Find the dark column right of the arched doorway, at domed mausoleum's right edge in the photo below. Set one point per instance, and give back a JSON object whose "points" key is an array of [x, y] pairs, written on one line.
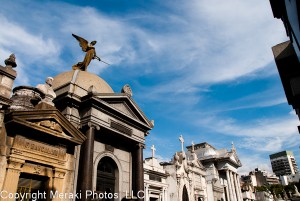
{"points": [[138, 171]]}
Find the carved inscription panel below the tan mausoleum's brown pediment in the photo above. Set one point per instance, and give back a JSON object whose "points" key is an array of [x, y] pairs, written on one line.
{"points": [[33, 146]]}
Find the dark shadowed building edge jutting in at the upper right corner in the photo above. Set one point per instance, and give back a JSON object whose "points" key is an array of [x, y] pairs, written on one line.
{"points": [[287, 54]]}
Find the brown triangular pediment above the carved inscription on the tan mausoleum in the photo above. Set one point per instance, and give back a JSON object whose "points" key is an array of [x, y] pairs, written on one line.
{"points": [[51, 122]]}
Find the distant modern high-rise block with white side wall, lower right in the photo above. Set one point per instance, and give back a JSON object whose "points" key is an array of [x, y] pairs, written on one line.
{"points": [[283, 163]]}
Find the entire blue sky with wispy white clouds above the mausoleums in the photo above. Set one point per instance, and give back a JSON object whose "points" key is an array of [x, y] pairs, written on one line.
{"points": [[203, 69]]}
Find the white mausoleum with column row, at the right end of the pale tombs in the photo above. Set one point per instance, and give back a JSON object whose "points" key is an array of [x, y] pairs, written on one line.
{"points": [[221, 165]]}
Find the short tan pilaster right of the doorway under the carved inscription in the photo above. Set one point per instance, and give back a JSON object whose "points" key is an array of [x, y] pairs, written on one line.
{"points": [[58, 182]]}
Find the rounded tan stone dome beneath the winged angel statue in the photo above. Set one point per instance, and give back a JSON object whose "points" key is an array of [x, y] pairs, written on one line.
{"points": [[79, 82]]}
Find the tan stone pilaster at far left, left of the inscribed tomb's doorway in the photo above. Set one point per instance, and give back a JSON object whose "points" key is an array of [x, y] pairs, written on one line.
{"points": [[12, 177]]}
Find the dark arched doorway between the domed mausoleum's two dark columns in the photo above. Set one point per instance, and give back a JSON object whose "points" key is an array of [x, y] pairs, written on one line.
{"points": [[107, 174]]}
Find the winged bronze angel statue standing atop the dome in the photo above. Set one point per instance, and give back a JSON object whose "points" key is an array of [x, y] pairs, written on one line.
{"points": [[90, 53]]}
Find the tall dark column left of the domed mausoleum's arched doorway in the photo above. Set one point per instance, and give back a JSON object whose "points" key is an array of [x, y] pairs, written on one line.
{"points": [[85, 173]]}
